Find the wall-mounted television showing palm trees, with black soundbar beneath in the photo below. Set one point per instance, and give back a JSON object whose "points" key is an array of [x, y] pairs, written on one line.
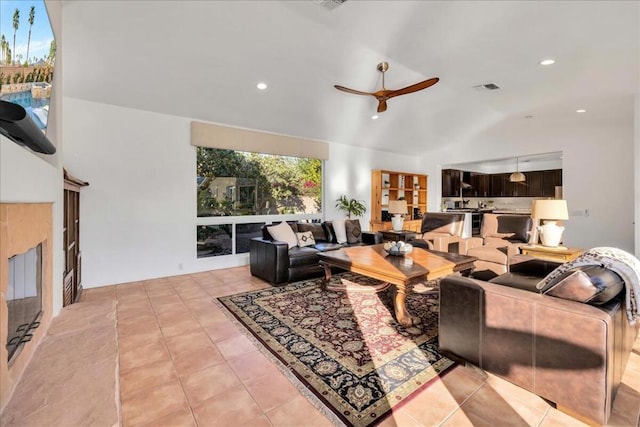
{"points": [[27, 58]]}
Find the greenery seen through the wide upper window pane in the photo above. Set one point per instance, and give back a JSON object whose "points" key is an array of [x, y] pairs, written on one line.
{"points": [[235, 183]]}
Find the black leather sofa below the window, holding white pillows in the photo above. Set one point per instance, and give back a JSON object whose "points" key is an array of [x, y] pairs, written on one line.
{"points": [[277, 263]]}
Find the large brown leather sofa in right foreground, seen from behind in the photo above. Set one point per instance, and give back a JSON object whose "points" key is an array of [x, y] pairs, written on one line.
{"points": [[569, 352]]}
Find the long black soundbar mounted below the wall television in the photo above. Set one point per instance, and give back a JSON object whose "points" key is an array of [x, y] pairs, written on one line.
{"points": [[16, 125]]}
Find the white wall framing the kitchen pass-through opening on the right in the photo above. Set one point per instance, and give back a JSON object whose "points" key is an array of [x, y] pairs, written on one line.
{"points": [[598, 171]]}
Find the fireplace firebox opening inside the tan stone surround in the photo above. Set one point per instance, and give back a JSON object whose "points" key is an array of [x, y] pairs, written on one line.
{"points": [[24, 299]]}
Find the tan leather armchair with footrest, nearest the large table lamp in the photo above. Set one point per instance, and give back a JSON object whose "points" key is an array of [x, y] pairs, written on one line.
{"points": [[501, 236]]}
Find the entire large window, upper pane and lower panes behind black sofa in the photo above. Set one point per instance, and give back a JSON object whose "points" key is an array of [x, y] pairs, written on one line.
{"points": [[235, 189]]}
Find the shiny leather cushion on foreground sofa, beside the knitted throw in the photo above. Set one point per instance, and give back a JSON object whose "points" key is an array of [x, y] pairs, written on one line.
{"points": [[592, 284]]}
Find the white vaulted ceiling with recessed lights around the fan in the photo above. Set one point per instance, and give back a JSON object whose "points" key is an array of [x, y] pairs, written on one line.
{"points": [[203, 59]]}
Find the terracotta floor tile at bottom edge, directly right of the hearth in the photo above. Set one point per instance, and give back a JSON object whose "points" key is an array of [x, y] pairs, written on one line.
{"points": [[150, 405]]}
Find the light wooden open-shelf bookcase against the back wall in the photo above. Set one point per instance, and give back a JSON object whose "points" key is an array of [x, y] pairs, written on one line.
{"points": [[390, 185]]}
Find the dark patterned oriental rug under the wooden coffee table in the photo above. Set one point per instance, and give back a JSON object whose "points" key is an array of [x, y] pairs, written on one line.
{"points": [[343, 349]]}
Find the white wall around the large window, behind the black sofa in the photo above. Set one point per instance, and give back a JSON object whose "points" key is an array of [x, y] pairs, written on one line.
{"points": [[138, 214]]}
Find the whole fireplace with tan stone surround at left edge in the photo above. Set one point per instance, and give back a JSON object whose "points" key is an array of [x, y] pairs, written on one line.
{"points": [[26, 282]]}
